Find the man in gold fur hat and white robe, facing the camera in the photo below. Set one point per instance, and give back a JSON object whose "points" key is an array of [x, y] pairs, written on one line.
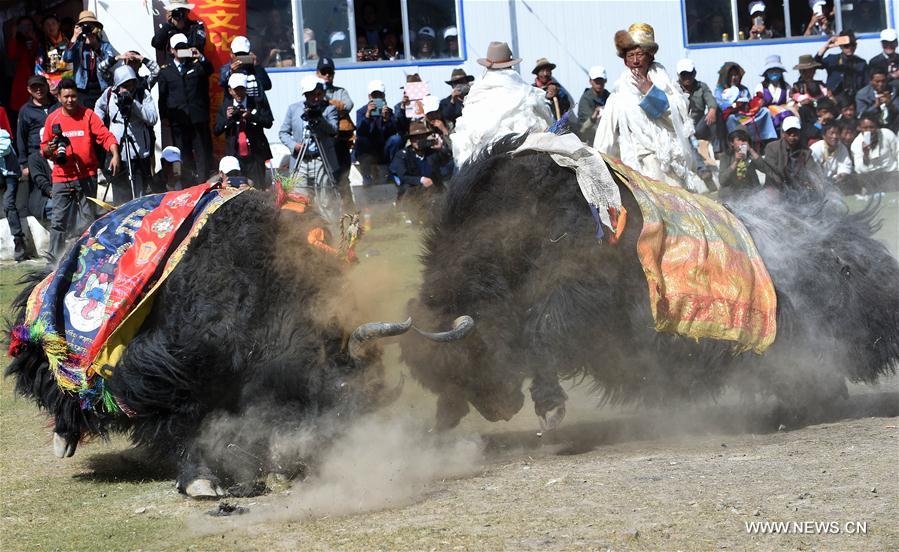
{"points": [[646, 120]]}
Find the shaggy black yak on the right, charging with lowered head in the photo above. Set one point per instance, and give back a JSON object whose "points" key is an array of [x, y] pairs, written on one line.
{"points": [[513, 244]]}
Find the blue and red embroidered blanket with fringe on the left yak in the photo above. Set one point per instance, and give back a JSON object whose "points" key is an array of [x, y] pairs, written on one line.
{"points": [[84, 313]]}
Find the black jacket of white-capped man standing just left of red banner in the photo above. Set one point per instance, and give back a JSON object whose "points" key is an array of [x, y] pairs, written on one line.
{"points": [[184, 98]]}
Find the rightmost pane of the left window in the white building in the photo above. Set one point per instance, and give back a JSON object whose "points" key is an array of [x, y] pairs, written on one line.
{"points": [[433, 29]]}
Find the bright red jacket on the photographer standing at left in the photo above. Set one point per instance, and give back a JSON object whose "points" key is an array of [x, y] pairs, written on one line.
{"points": [[83, 130]]}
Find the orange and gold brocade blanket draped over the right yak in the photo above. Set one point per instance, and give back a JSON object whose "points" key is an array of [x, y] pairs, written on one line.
{"points": [[705, 276]]}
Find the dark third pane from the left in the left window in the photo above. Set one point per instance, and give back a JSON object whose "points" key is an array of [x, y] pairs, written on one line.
{"points": [[379, 35]]}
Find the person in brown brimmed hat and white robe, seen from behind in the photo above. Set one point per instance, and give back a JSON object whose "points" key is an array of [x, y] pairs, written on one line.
{"points": [[500, 103]]}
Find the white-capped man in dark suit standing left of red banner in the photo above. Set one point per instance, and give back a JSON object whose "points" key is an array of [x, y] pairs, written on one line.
{"points": [[184, 106]]}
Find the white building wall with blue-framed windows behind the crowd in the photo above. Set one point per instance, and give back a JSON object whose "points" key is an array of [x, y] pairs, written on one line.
{"points": [[574, 34]]}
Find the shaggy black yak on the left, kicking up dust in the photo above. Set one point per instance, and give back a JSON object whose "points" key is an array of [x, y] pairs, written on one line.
{"points": [[245, 328]]}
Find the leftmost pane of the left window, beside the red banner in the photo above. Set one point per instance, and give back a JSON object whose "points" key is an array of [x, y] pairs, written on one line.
{"points": [[270, 30]]}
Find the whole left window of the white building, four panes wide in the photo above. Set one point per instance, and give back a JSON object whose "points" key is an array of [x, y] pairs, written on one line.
{"points": [[353, 32]]}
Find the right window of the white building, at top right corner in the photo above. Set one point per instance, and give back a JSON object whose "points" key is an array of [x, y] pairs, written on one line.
{"points": [[718, 21]]}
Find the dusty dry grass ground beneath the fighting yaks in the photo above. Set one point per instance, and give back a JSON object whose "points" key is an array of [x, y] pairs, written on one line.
{"points": [[617, 489]]}
